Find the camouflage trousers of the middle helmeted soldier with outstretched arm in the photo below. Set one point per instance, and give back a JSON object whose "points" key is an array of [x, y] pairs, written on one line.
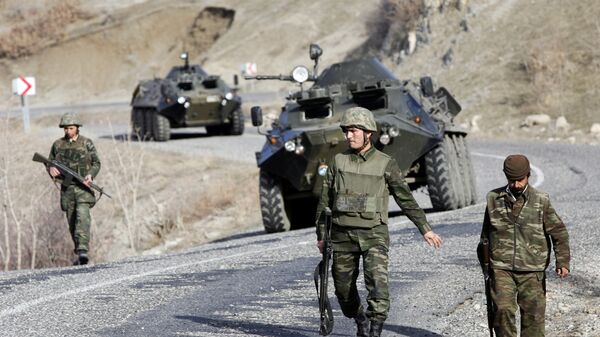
{"points": [[373, 250]]}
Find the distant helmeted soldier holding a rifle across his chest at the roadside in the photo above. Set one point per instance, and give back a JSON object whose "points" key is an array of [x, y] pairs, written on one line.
{"points": [[79, 154]]}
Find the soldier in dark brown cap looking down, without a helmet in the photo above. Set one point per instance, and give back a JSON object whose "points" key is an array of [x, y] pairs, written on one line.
{"points": [[520, 224]]}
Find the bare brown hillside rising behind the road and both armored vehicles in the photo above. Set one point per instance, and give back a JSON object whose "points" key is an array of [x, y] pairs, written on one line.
{"points": [[504, 60]]}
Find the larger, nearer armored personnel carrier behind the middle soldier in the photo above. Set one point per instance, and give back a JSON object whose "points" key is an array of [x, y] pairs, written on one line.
{"points": [[415, 126]]}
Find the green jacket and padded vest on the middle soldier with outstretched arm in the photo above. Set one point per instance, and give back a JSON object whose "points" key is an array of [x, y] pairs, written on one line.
{"points": [[357, 188]]}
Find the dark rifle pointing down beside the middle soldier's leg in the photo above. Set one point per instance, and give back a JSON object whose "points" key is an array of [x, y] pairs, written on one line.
{"points": [[322, 274]]}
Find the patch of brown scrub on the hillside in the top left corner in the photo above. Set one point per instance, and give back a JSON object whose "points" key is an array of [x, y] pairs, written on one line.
{"points": [[44, 29]]}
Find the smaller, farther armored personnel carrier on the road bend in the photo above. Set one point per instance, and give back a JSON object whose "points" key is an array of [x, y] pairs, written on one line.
{"points": [[186, 97]]}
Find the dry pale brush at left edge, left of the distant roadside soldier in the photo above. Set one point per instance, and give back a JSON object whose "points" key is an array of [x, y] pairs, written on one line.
{"points": [[33, 230]]}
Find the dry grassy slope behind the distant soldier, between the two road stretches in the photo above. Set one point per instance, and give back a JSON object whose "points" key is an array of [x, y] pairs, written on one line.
{"points": [[152, 206]]}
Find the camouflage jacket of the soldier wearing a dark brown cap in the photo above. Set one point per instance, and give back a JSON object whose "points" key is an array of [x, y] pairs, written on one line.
{"points": [[521, 231]]}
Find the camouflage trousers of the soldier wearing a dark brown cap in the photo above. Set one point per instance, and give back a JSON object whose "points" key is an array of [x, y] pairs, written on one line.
{"points": [[525, 289]]}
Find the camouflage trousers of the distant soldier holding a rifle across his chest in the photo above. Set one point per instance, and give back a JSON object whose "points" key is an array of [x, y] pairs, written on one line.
{"points": [[76, 203]]}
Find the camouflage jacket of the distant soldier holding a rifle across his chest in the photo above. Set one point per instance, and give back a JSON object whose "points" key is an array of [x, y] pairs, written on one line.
{"points": [[79, 155]]}
